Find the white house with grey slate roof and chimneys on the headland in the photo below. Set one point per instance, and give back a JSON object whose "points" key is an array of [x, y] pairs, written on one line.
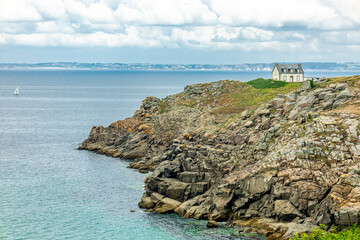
{"points": [[288, 72]]}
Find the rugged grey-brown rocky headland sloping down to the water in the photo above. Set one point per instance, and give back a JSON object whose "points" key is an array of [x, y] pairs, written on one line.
{"points": [[289, 160]]}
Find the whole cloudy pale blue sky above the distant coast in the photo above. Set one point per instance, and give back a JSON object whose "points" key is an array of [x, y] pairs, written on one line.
{"points": [[179, 31]]}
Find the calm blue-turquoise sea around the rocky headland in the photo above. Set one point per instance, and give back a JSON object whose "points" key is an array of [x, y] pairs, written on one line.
{"points": [[49, 190]]}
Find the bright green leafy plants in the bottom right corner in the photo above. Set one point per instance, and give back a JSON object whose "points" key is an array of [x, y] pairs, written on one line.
{"points": [[351, 233]]}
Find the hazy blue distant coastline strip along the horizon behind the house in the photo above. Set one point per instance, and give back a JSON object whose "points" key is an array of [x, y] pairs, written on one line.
{"points": [[261, 67]]}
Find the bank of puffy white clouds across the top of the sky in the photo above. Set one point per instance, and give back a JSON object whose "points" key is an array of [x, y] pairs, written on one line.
{"points": [[207, 24]]}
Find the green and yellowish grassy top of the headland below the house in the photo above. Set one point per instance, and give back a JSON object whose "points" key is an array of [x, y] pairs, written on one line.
{"points": [[231, 97]]}
